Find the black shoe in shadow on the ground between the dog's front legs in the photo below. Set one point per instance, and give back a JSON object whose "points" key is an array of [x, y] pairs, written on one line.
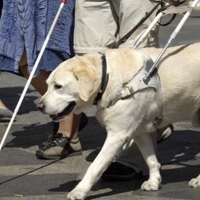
{"points": [[118, 172]]}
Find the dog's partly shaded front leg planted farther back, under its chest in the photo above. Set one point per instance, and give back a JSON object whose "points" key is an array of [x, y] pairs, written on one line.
{"points": [[145, 145]]}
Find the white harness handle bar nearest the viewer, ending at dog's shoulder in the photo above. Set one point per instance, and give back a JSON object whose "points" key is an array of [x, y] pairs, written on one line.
{"points": [[172, 37]]}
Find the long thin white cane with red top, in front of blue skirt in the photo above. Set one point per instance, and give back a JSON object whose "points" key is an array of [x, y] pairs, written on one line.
{"points": [[32, 72]]}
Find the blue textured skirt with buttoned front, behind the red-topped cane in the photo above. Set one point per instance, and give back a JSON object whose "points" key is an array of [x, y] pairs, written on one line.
{"points": [[25, 24]]}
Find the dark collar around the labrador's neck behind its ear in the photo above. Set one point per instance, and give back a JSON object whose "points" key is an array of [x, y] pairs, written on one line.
{"points": [[104, 80]]}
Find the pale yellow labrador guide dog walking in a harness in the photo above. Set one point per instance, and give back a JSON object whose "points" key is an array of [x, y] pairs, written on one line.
{"points": [[128, 106]]}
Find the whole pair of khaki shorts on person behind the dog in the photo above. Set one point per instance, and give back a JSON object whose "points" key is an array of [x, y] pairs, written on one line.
{"points": [[99, 24]]}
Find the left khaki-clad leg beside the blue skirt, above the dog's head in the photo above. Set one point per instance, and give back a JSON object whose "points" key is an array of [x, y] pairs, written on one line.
{"points": [[98, 28]]}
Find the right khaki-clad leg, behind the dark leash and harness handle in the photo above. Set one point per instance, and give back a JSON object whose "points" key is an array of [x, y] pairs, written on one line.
{"points": [[130, 13]]}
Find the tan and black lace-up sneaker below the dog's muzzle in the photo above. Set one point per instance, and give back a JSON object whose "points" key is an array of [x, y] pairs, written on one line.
{"points": [[60, 147]]}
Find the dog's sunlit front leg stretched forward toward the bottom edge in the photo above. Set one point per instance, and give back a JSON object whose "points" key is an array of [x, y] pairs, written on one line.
{"points": [[107, 154]]}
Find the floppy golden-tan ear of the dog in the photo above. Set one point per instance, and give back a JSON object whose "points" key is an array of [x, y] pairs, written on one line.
{"points": [[88, 83]]}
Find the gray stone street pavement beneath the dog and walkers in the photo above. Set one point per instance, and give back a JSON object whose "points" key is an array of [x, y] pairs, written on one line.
{"points": [[22, 174]]}
